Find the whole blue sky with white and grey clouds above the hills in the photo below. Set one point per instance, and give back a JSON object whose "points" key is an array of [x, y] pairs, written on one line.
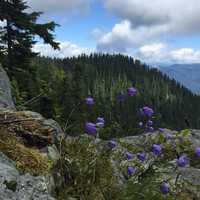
{"points": [[159, 31]]}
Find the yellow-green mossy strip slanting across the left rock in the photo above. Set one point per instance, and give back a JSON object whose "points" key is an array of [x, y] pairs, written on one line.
{"points": [[27, 159]]}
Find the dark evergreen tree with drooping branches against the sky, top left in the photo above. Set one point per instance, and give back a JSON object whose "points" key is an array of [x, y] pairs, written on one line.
{"points": [[17, 34]]}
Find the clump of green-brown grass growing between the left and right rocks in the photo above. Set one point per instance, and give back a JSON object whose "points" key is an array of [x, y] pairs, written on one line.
{"points": [[87, 171]]}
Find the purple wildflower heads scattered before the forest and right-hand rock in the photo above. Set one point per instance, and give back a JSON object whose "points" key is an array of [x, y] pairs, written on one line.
{"points": [[158, 149]]}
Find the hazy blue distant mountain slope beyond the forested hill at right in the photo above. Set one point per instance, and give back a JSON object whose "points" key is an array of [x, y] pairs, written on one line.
{"points": [[187, 74]]}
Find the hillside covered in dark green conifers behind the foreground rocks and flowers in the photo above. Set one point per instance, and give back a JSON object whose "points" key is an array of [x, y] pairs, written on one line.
{"points": [[57, 88]]}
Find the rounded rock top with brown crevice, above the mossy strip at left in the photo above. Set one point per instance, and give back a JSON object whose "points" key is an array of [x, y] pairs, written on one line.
{"points": [[30, 127]]}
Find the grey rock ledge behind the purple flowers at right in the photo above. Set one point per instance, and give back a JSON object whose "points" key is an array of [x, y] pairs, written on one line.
{"points": [[189, 176]]}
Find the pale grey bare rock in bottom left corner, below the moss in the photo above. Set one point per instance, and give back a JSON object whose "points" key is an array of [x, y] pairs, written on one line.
{"points": [[27, 187]]}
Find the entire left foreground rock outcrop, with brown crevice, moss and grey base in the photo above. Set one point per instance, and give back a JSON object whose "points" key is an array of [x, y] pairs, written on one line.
{"points": [[28, 155]]}
